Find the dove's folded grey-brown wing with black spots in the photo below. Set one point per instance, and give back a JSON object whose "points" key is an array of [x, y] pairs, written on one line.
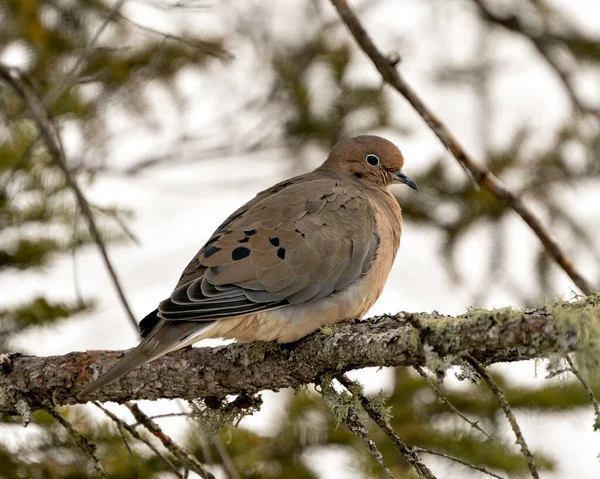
{"points": [[300, 242]]}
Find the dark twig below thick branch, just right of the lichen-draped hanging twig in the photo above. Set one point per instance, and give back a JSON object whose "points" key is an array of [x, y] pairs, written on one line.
{"points": [[408, 452]]}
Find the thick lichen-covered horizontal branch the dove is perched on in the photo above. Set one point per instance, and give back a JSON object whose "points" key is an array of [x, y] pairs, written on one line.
{"points": [[403, 339]]}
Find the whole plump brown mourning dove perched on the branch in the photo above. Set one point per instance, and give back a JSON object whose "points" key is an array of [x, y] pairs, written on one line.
{"points": [[311, 251]]}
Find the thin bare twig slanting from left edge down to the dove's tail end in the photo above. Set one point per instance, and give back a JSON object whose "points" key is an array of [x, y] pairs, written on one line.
{"points": [[52, 140]]}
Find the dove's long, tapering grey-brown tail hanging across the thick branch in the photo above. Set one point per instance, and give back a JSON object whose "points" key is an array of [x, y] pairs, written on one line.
{"points": [[168, 337]]}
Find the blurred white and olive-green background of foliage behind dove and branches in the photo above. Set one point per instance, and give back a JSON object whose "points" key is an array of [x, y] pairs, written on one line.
{"points": [[174, 113]]}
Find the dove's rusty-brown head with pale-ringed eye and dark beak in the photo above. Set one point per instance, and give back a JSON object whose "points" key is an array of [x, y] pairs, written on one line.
{"points": [[371, 159]]}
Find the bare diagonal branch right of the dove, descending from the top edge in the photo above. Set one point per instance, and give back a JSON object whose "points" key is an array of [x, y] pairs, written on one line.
{"points": [[479, 172]]}
